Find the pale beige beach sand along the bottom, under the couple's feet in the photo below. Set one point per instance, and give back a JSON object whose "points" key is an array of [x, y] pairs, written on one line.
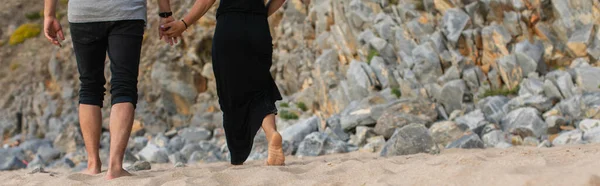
{"points": [[572, 165]]}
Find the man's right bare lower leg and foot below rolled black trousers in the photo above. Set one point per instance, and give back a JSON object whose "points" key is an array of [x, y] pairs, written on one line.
{"points": [[121, 121]]}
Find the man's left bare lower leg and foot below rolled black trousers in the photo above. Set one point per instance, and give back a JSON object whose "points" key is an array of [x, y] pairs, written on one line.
{"points": [[90, 122]]}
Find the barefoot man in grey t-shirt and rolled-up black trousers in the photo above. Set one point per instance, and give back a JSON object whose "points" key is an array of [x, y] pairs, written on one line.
{"points": [[99, 27]]}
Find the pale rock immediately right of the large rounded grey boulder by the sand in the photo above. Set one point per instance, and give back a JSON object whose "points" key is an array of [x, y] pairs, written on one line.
{"points": [[445, 132]]}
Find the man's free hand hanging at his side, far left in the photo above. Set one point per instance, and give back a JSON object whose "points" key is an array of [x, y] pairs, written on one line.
{"points": [[52, 28]]}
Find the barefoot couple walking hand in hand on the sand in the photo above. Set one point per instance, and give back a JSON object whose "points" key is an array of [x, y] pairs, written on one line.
{"points": [[241, 54]]}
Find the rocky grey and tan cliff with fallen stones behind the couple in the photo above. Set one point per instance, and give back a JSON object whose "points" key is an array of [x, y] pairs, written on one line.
{"points": [[389, 76]]}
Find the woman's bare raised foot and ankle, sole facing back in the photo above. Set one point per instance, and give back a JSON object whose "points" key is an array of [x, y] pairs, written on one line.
{"points": [[276, 156]]}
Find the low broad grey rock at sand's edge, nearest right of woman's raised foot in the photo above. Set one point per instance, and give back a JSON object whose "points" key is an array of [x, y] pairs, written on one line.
{"points": [[318, 143]]}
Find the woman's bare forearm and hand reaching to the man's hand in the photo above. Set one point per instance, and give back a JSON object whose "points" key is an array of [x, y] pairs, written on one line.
{"points": [[200, 8]]}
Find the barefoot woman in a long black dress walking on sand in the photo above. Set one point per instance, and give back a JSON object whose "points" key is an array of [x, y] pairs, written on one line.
{"points": [[242, 52]]}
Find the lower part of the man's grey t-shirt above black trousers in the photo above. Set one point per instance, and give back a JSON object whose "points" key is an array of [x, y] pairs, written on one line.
{"points": [[83, 11]]}
